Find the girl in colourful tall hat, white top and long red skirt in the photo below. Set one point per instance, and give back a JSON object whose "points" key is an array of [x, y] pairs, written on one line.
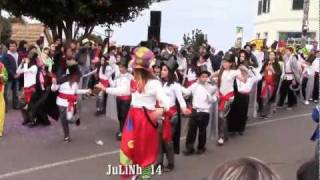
{"points": [[140, 142]]}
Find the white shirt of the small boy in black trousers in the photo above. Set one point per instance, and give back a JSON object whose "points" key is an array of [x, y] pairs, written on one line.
{"points": [[202, 96]]}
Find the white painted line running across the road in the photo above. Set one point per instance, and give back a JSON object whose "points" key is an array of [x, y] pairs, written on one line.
{"points": [[94, 156]]}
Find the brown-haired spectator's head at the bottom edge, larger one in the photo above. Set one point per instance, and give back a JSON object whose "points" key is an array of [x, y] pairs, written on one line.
{"points": [[244, 169]]}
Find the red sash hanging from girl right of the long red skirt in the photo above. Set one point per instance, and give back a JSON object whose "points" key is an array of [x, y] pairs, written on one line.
{"points": [[166, 127]]}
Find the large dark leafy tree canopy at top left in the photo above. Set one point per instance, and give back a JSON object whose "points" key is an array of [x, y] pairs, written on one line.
{"points": [[68, 16]]}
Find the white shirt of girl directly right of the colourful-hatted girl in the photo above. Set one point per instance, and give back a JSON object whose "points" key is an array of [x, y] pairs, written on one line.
{"points": [[174, 92]]}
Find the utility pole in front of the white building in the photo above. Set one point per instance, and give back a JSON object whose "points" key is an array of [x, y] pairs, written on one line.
{"points": [[305, 23]]}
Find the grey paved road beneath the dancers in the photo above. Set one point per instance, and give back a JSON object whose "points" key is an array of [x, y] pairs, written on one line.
{"points": [[39, 153]]}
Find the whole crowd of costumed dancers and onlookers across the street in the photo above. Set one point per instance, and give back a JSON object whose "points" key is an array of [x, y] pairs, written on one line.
{"points": [[156, 88]]}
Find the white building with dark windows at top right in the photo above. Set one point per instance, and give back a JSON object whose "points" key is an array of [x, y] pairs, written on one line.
{"points": [[281, 20]]}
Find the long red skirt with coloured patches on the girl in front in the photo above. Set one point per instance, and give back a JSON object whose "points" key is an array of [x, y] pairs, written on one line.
{"points": [[139, 144]]}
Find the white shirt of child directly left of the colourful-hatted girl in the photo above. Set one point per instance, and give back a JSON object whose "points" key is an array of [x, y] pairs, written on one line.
{"points": [[121, 86]]}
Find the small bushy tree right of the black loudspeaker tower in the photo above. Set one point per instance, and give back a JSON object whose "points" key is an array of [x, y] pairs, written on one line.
{"points": [[196, 39]]}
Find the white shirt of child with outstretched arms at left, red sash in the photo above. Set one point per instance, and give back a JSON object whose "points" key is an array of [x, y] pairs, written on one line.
{"points": [[66, 88]]}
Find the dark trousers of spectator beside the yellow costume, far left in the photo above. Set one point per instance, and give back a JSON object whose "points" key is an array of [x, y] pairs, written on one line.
{"points": [[14, 86]]}
